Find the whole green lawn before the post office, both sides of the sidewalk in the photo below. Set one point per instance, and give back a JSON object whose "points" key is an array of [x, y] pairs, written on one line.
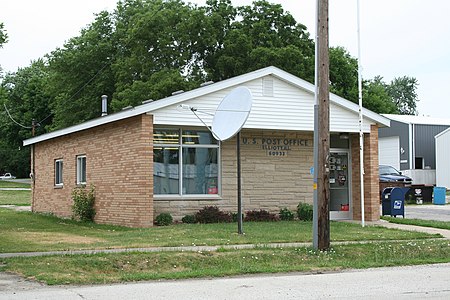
{"points": [[26, 231]]}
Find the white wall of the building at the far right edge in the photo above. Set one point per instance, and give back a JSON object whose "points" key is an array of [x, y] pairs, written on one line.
{"points": [[442, 159]]}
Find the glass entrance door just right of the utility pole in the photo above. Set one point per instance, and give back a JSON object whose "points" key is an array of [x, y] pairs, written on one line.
{"points": [[340, 183]]}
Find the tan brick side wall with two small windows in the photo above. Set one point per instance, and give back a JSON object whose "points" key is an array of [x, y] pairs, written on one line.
{"points": [[118, 162]]}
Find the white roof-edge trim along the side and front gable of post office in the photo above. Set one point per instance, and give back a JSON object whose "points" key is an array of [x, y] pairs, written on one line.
{"points": [[180, 98]]}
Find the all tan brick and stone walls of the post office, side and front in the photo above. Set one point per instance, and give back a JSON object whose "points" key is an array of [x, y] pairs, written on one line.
{"points": [[119, 163]]}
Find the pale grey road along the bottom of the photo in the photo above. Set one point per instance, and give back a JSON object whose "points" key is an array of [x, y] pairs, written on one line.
{"points": [[412, 282]]}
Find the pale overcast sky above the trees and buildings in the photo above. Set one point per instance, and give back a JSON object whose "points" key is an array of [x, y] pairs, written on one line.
{"points": [[398, 38]]}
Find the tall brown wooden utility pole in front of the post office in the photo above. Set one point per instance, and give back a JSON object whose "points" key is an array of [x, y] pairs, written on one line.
{"points": [[323, 185]]}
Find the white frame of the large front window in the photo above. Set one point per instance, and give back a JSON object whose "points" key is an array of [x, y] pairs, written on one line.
{"points": [[180, 146]]}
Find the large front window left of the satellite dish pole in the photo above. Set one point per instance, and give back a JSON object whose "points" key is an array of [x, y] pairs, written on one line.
{"points": [[192, 153]]}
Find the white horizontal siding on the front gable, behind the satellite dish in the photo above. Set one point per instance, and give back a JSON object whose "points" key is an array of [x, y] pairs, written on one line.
{"points": [[290, 108]]}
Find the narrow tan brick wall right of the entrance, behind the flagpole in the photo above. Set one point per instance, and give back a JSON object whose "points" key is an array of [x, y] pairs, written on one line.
{"points": [[371, 177]]}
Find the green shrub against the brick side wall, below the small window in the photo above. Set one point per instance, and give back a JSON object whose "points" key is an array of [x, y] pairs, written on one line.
{"points": [[83, 204]]}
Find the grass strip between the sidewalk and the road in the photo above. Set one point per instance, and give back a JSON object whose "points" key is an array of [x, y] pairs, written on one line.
{"points": [[122, 267]]}
